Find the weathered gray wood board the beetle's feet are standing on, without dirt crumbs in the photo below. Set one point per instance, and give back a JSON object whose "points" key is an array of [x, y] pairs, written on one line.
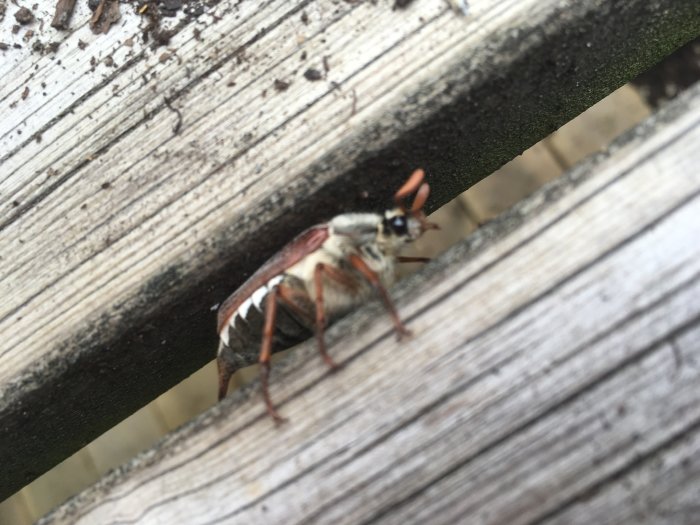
{"points": [[553, 377]]}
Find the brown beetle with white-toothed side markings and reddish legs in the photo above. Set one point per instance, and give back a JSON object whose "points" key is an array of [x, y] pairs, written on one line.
{"points": [[326, 271]]}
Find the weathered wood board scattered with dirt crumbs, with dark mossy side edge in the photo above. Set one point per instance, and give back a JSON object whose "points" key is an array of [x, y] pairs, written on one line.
{"points": [[124, 221]]}
